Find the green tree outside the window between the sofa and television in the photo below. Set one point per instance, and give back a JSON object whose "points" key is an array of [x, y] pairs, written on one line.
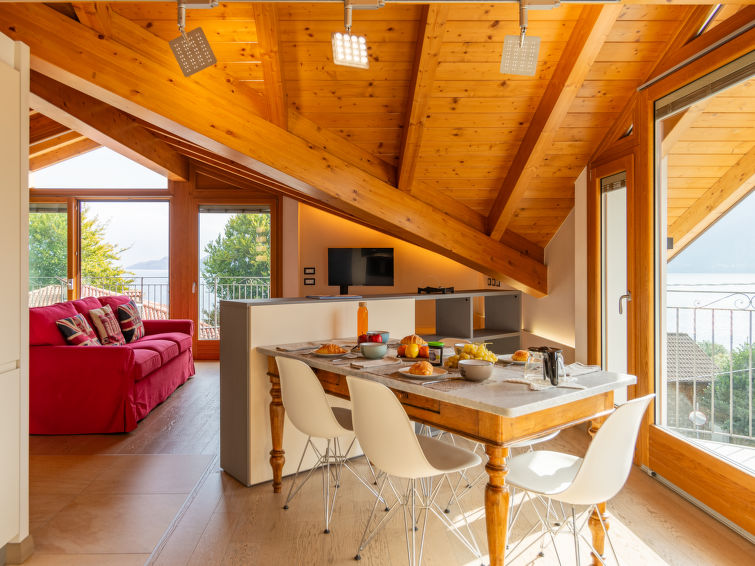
{"points": [[237, 262]]}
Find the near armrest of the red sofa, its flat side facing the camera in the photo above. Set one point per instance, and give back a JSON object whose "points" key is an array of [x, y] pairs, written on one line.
{"points": [[80, 389]]}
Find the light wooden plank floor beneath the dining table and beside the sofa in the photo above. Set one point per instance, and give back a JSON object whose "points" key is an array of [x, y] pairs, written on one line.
{"points": [[223, 523]]}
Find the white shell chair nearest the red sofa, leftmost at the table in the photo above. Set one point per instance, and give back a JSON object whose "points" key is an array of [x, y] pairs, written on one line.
{"points": [[308, 409]]}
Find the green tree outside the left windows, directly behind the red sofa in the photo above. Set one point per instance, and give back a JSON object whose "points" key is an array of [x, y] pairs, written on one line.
{"points": [[48, 237]]}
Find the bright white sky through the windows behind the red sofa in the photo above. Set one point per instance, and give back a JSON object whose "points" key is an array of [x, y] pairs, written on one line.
{"points": [[142, 227]]}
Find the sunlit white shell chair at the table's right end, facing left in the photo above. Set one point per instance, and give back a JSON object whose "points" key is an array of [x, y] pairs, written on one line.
{"points": [[571, 480]]}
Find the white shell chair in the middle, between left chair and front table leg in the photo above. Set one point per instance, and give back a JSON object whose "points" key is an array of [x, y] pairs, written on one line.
{"points": [[388, 440]]}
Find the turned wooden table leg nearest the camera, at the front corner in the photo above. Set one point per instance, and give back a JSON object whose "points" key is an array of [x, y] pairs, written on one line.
{"points": [[496, 503]]}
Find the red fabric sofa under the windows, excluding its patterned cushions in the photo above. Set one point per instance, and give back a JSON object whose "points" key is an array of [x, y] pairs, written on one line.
{"points": [[99, 389]]}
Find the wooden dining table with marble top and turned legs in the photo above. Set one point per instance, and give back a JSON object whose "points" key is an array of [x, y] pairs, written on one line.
{"points": [[506, 408]]}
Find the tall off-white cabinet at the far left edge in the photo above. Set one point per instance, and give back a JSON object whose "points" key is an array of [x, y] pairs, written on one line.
{"points": [[14, 331]]}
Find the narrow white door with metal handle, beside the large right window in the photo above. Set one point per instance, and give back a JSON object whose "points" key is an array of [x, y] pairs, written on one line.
{"points": [[614, 274]]}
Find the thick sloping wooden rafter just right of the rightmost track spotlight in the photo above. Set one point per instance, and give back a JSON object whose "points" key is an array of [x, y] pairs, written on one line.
{"points": [[580, 52]]}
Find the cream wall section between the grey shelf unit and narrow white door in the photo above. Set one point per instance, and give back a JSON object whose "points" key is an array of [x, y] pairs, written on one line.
{"points": [[552, 316]]}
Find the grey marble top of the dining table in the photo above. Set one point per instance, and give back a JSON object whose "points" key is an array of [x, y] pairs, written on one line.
{"points": [[495, 395]]}
